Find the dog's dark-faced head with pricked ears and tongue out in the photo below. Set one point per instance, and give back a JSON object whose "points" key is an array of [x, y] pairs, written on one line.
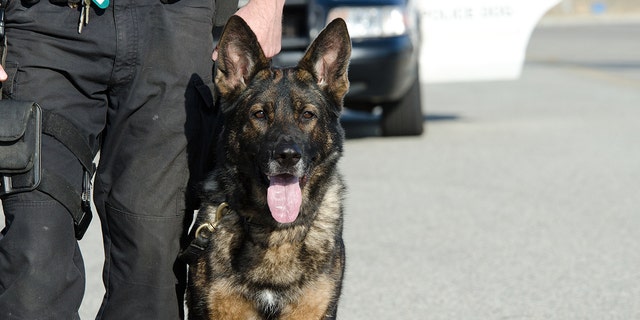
{"points": [[281, 125]]}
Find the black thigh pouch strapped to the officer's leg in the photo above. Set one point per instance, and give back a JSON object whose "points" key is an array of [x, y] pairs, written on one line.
{"points": [[20, 144]]}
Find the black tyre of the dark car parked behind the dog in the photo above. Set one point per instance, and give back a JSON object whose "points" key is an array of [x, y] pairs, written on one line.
{"points": [[404, 117]]}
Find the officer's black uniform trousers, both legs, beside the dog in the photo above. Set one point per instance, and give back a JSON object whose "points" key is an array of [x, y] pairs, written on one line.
{"points": [[137, 82]]}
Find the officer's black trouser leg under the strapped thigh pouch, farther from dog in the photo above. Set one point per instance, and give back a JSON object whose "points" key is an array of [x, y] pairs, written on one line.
{"points": [[41, 270]]}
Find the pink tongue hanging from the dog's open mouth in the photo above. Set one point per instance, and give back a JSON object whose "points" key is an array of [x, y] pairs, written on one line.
{"points": [[284, 198]]}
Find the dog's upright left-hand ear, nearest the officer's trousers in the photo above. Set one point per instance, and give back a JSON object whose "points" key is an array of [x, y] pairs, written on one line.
{"points": [[240, 57]]}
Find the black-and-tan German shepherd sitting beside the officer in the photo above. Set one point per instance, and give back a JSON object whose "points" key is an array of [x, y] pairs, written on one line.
{"points": [[272, 207]]}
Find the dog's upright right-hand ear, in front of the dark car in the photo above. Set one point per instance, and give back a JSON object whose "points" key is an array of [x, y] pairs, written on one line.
{"points": [[327, 58]]}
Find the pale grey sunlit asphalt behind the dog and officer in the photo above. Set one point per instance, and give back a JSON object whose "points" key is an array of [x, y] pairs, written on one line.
{"points": [[522, 201]]}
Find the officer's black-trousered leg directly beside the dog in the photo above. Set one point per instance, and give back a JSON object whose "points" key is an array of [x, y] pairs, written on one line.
{"points": [[147, 154]]}
